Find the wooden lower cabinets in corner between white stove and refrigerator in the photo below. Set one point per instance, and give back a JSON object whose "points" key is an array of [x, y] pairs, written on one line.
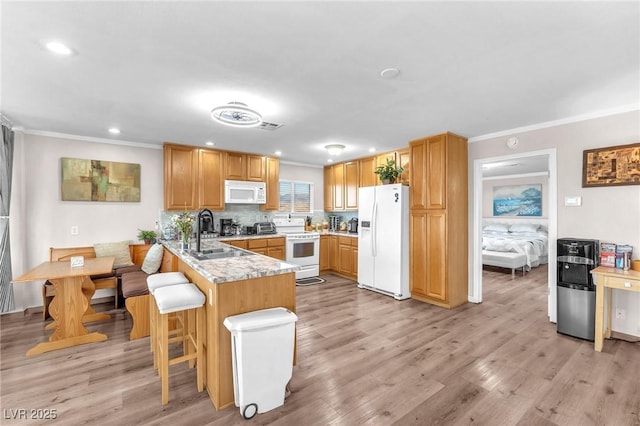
{"points": [[339, 255]]}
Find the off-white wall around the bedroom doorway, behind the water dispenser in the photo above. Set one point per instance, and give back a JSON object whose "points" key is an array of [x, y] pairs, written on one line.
{"points": [[607, 213]]}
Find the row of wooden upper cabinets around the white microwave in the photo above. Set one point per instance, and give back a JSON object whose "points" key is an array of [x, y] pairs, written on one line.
{"points": [[194, 178]]}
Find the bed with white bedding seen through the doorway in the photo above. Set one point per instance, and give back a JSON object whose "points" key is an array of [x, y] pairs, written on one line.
{"points": [[514, 244]]}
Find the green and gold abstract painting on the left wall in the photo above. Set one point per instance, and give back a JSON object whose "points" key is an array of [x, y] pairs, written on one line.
{"points": [[96, 180]]}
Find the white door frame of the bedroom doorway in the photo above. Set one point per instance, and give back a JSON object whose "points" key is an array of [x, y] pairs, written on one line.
{"points": [[475, 287]]}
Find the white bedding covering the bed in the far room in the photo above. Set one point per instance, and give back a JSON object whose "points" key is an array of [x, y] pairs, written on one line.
{"points": [[534, 245]]}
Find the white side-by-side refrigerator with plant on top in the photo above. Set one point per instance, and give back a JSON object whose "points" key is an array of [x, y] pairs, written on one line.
{"points": [[383, 240]]}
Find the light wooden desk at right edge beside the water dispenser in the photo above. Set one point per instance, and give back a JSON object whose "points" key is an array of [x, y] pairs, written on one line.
{"points": [[606, 280]]}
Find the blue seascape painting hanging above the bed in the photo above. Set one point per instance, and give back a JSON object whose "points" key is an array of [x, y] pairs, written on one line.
{"points": [[517, 200]]}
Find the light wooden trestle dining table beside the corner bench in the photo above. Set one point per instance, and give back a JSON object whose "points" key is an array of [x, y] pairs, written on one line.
{"points": [[72, 300]]}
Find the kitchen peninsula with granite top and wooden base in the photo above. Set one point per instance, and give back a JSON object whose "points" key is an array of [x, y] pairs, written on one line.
{"points": [[236, 282]]}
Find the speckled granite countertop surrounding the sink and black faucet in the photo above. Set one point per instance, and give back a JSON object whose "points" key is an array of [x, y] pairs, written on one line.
{"points": [[231, 268]]}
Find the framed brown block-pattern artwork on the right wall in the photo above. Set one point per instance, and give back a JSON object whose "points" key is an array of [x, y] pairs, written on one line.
{"points": [[611, 166]]}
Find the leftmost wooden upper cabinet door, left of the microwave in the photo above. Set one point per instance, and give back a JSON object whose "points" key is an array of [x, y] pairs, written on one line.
{"points": [[180, 174]]}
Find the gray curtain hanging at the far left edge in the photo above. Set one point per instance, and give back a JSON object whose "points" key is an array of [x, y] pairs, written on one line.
{"points": [[7, 303]]}
